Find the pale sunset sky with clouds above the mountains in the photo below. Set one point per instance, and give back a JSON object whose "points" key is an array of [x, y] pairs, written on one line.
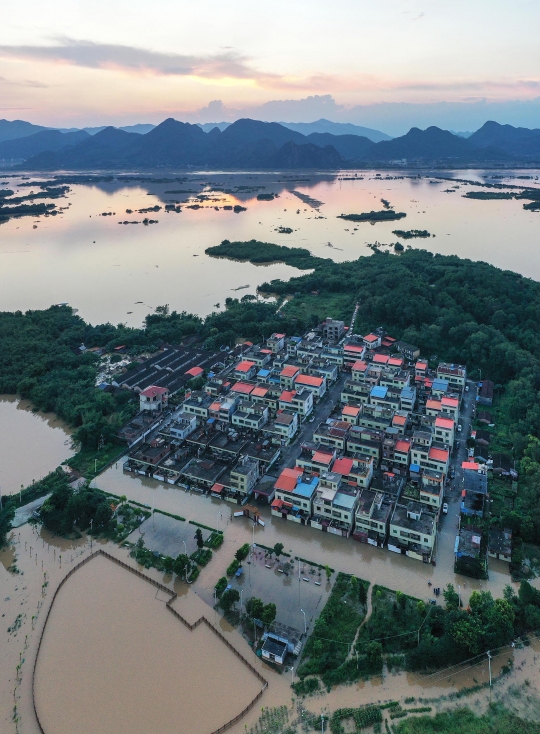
{"points": [[386, 63]]}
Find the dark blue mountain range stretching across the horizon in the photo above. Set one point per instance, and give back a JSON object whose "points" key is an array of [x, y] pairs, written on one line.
{"points": [[250, 143]]}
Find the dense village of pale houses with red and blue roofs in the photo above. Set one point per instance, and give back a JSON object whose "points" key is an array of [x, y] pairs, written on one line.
{"points": [[352, 435]]}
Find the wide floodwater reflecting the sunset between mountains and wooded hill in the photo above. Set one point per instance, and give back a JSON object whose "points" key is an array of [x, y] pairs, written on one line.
{"points": [[118, 273]]}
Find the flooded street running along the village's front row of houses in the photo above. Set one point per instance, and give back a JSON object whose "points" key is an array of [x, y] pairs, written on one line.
{"points": [[343, 554]]}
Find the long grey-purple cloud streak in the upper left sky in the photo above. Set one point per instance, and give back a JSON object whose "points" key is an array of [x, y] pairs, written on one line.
{"points": [[136, 60]]}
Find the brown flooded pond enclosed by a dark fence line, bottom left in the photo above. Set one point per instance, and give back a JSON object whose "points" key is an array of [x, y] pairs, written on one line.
{"points": [[114, 659]]}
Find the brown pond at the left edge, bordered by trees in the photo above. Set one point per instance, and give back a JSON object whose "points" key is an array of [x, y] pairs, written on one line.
{"points": [[31, 443]]}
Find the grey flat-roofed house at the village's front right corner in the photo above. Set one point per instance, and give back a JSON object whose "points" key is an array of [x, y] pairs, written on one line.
{"points": [[413, 529]]}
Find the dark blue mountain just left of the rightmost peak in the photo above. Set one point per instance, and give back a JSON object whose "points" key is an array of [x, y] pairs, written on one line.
{"points": [[430, 145]]}
